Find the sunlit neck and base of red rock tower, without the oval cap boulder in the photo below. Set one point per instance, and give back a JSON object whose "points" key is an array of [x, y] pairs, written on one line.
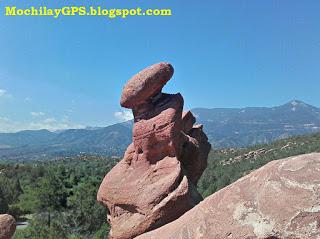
{"points": [[147, 188]]}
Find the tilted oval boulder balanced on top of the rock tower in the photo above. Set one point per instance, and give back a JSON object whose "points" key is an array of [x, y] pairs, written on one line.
{"points": [[146, 84]]}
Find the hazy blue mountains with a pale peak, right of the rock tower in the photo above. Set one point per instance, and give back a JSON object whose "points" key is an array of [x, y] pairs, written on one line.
{"points": [[257, 125]]}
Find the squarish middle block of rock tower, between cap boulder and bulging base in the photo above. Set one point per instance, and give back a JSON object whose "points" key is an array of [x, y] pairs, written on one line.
{"points": [[156, 131]]}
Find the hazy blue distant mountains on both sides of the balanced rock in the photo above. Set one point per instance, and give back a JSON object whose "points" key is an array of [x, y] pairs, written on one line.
{"points": [[225, 127]]}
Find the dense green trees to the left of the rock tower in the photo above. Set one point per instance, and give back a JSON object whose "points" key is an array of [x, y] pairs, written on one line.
{"points": [[57, 198]]}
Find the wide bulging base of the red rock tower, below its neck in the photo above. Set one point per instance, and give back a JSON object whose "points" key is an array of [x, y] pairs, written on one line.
{"points": [[144, 197]]}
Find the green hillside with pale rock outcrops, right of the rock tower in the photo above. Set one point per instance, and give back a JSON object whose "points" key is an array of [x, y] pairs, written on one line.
{"points": [[227, 165]]}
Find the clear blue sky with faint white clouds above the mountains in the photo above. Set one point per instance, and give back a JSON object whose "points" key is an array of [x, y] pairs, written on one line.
{"points": [[69, 72]]}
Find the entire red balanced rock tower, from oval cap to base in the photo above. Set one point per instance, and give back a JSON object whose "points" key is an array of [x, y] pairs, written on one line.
{"points": [[154, 183]]}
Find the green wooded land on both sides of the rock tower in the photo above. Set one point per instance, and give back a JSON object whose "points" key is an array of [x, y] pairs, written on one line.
{"points": [[58, 198]]}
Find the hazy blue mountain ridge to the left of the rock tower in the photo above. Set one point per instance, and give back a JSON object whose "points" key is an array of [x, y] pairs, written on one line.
{"points": [[43, 144]]}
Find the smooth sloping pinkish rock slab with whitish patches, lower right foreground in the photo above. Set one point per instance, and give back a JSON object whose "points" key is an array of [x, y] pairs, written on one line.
{"points": [[280, 200]]}
